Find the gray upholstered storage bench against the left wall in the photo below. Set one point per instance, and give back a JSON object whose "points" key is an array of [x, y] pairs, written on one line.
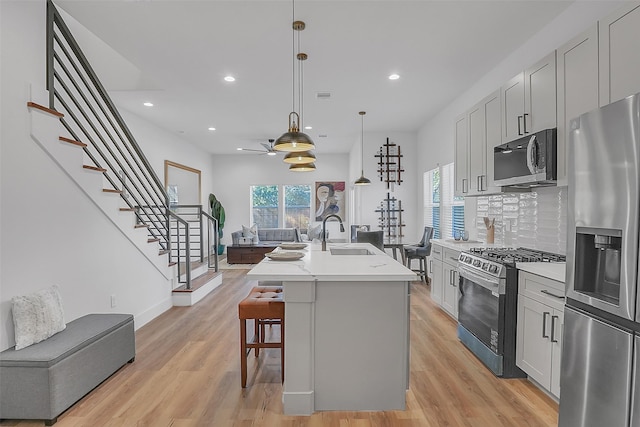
{"points": [[43, 380]]}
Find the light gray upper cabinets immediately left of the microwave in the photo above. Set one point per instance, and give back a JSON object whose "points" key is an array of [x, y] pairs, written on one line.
{"points": [[477, 132]]}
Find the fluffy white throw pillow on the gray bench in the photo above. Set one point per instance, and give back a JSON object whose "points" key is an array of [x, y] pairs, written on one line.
{"points": [[37, 316]]}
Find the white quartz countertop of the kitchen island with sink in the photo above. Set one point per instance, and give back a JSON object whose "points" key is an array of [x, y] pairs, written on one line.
{"points": [[324, 266]]}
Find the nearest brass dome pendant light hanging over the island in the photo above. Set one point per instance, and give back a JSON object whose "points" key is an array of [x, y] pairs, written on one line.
{"points": [[293, 140]]}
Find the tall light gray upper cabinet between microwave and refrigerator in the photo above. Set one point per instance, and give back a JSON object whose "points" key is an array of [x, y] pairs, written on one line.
{"points": [[577, 78]]}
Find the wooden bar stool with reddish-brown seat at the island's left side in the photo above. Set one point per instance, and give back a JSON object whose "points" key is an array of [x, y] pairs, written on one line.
{"points": [[265, 306]]}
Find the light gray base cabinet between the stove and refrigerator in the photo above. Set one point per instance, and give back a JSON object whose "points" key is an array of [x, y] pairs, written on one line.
{"points": [[539, 330]]}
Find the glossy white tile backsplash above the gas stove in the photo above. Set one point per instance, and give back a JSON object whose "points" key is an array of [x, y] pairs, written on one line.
{"points": [[532, 220]]}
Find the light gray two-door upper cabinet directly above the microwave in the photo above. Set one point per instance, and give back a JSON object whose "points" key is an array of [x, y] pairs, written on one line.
{"points": [[529, 100]]}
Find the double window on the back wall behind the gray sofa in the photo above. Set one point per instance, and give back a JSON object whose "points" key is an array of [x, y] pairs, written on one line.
{"points": [[274, 206]]}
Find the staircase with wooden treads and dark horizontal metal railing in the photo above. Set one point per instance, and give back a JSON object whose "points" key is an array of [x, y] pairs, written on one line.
{"points": [[82, 131]]}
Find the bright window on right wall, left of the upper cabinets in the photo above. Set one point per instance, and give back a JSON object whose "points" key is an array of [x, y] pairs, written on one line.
{"points": [[442, 210]]}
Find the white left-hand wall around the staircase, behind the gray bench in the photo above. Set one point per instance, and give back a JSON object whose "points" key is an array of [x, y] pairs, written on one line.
{"points": [[50, 232]]}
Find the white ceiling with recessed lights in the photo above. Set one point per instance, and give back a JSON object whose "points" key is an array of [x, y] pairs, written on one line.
{"points": [[175, 54]]}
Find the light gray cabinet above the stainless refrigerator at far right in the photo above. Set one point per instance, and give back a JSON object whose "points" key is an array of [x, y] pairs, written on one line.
{"points": [[620, 54]]}
